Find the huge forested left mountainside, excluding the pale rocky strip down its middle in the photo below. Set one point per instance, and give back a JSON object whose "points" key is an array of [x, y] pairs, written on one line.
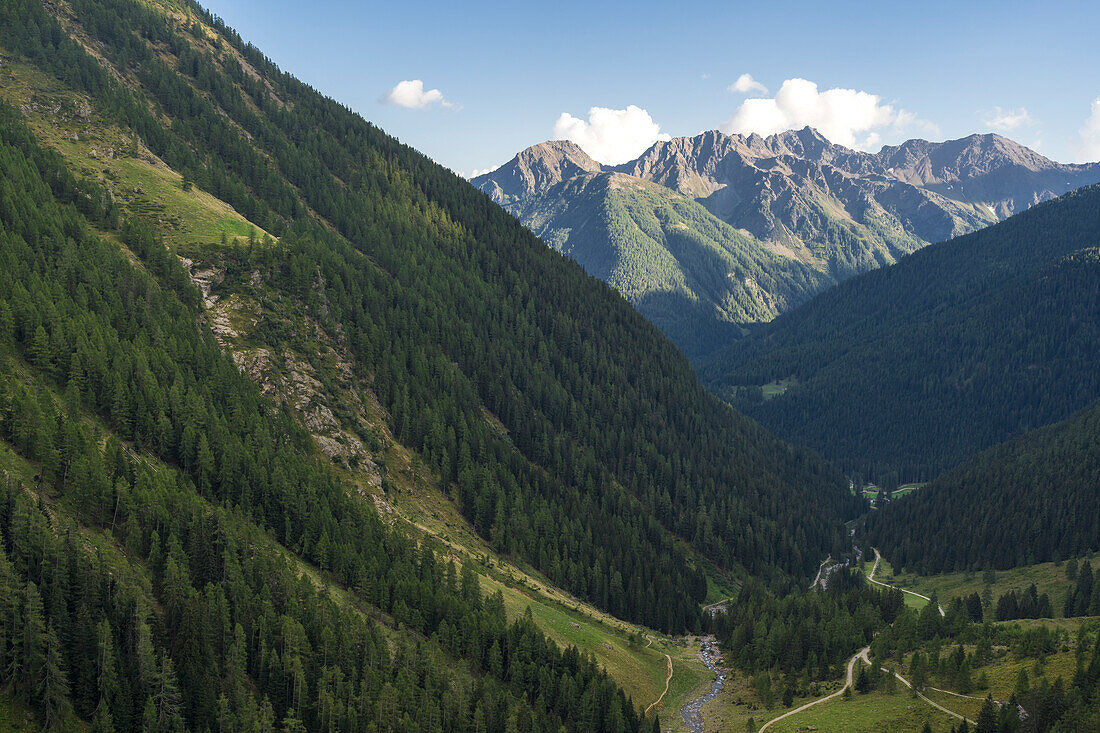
{"points": [[570, 434]]}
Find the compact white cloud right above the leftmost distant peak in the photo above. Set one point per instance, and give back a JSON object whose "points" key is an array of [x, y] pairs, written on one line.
{"points": [[611, 136]]}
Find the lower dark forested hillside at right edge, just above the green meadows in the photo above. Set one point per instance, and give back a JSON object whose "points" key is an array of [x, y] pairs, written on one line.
{"points": [[1028, 501]]}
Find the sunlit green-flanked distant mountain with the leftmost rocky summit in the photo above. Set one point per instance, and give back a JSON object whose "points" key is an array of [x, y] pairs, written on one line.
{"points": [[695, 277]]}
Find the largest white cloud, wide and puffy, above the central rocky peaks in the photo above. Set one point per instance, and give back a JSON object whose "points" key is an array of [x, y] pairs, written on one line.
{"points": [[846, 117]]}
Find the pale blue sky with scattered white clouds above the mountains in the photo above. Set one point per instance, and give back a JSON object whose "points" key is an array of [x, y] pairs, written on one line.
{"points": [[507, 72]]}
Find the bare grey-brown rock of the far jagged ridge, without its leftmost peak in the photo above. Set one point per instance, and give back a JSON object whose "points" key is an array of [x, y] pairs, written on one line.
{"points": [[936, 191]]}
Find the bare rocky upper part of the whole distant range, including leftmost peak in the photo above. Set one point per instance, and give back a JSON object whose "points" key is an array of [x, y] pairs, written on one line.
{"points": [[786, 187]]}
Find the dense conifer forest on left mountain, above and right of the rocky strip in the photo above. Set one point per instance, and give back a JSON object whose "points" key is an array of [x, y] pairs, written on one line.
{"points": [[612, 453]]}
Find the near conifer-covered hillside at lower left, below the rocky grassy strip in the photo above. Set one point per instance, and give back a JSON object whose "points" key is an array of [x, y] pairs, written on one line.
{"points": [[149, 501]]}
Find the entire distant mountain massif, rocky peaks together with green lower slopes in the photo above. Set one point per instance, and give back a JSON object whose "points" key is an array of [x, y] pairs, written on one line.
{"points": [[807, 213]]}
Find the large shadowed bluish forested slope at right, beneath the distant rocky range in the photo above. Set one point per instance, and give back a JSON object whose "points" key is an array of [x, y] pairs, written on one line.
{"points": [[916, 367]]}
